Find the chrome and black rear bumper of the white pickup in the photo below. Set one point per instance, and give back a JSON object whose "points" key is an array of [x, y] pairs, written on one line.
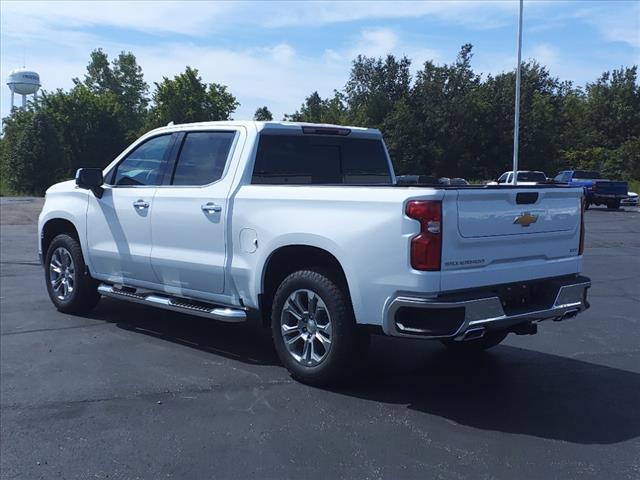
{"points": [[454, 316]]}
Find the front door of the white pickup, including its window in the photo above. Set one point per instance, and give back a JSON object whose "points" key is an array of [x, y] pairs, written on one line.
{"points": [[119, 223]]}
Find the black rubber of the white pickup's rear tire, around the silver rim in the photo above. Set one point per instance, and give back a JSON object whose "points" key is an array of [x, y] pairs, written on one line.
{"points": [[348, 345]]}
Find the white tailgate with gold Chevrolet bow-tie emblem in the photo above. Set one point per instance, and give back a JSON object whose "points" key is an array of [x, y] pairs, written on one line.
{"points": [[509, 234]]}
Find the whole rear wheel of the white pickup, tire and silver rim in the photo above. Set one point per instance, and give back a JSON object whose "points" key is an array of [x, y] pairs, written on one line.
{"points": [[314, 330]]}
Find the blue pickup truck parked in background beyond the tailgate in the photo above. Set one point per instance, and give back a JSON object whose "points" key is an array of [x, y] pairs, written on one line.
{"points": [[597, 191]]}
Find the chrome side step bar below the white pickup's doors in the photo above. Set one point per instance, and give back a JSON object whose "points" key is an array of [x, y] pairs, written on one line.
{"points": [[224, 314]]}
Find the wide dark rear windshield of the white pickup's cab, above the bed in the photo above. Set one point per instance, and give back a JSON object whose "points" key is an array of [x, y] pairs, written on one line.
{"points": [[319, 160]]}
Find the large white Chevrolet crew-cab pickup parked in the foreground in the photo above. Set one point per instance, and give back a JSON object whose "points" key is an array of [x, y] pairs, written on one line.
{"points": [[304, 228]]}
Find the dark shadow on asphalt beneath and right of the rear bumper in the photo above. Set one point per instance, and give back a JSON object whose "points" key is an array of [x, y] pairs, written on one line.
{"points": [[508, 389]]}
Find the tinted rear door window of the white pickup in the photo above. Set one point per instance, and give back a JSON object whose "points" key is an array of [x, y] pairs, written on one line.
{"points": [[202, 158]]}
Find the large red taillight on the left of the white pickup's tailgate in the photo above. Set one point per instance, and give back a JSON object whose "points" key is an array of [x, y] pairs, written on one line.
{"points": [[426, 247]]}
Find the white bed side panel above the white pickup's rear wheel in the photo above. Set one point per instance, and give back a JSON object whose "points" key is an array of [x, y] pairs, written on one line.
{"points": [[364, 228]]}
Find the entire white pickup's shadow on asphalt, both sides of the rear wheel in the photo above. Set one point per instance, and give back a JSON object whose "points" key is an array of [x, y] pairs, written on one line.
{"points": [[507, 389]]}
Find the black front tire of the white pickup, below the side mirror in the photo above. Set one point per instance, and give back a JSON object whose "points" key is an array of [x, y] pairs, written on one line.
{"points": [[83, 295]]}
